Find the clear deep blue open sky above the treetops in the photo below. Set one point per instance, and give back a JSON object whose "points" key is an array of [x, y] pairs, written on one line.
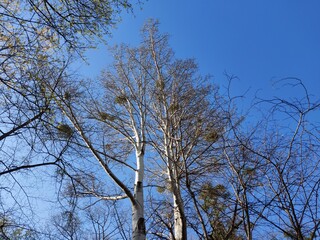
{"points": [[256, 40]]}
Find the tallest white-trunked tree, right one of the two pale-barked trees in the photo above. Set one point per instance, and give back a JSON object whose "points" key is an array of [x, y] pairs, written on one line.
{"points": [[185, 123]]}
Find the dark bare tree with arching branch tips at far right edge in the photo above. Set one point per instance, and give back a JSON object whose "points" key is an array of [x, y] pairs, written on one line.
{"points": [[293, 164]]}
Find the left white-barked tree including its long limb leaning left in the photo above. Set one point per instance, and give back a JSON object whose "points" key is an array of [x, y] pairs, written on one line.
{"points": [[113, 126]]}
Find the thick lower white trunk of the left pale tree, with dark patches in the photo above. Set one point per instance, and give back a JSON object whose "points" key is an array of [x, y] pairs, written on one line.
{"points": [[138, 222]]}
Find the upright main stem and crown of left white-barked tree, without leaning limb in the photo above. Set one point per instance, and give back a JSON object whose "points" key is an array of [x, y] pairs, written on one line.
{"points": [[128, 88]]}
